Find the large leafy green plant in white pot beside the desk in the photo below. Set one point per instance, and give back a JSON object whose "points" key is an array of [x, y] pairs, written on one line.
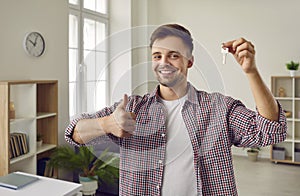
{"points": [[92, 169]]}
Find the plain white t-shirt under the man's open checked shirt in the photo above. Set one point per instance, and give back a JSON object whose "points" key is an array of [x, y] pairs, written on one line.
{"points": [[179, 174]]}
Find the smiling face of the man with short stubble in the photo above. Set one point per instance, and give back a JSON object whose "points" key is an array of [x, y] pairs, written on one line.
{"points": [[170, 60]]}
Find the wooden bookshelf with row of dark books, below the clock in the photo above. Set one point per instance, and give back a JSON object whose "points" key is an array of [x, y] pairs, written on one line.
{"points": [[36, 112]]}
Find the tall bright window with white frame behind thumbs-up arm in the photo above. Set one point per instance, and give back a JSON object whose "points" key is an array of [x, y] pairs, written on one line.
{"points": [[88, 78]]}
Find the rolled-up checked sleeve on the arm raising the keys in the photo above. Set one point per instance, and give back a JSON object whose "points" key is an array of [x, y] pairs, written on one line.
{"points": [[250, 129]]}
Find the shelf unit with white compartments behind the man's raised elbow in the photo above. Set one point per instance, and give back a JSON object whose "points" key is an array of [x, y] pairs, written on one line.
{"points": [[286, 90]]}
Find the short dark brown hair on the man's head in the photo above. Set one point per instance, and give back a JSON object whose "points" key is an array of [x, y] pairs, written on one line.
{"points": [[173, 30]]}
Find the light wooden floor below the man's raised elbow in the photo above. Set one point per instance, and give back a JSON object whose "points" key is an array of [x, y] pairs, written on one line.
{"points": [[263, 178]]}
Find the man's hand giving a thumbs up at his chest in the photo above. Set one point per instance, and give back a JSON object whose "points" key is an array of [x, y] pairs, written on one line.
{"points": [[124, 122]]}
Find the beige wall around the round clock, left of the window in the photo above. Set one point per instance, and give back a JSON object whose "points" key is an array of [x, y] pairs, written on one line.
{"points": [[50, 18]]}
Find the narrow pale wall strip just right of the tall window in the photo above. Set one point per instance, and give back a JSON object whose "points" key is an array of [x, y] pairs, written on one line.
{"points": [[120, 43]]}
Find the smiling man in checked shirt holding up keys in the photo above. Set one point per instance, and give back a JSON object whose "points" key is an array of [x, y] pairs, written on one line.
{"points": [[177, 140]]}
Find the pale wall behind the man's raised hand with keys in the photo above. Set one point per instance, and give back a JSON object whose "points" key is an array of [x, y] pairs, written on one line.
{"points": [[273, 27]]}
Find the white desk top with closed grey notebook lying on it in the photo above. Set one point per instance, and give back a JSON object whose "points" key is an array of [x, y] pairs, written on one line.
{"points": [[45, 187]]}
